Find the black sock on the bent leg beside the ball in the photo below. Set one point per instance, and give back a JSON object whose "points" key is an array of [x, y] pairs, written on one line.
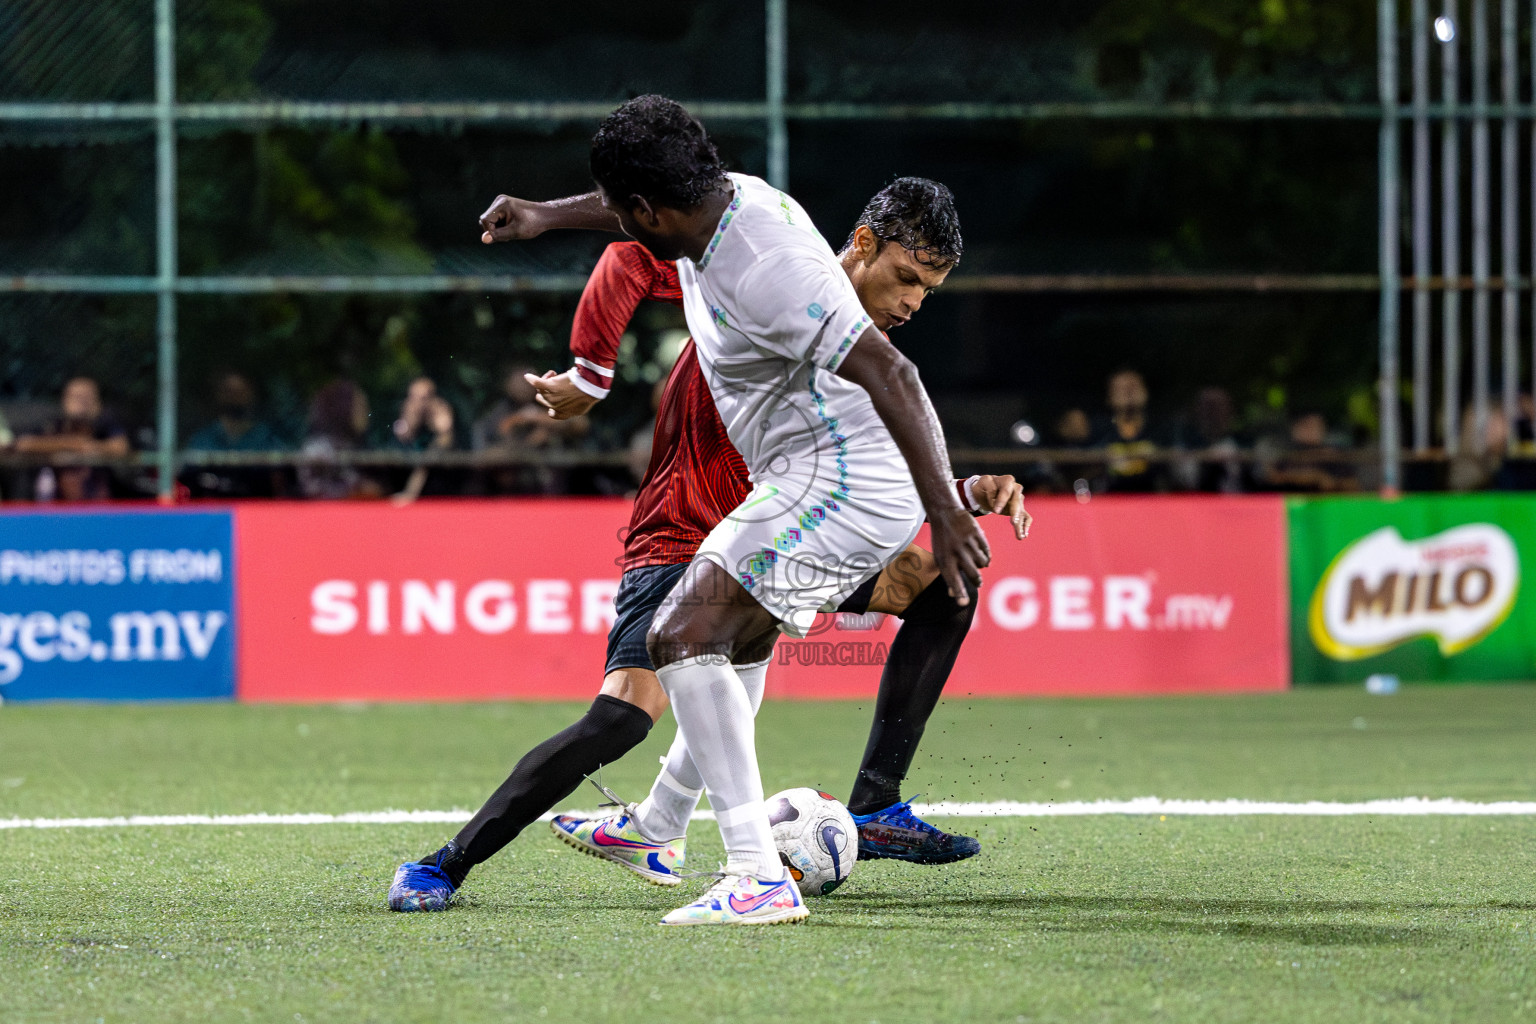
{"points": [[922, 655]]}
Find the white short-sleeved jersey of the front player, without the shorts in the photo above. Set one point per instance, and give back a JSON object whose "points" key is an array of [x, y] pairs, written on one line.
{"points": [[773, 317]]}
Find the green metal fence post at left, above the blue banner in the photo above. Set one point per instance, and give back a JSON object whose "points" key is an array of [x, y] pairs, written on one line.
{"points": [[167, 243]]}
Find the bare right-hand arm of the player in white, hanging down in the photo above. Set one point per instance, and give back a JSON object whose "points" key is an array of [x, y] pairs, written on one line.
{"points": [[902, 405]]}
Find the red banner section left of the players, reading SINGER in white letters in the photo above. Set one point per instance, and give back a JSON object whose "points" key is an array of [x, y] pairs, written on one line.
{"points": [[439, 601]]}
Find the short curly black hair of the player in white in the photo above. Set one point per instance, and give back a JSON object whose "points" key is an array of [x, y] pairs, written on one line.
{"points": [[655, 150]]}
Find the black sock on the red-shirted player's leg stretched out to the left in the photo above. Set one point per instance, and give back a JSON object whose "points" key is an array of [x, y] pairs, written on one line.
{"points": [[546, 776]]}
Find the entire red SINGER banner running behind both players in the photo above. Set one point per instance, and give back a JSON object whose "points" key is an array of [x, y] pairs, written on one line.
{"points": [[463, 601]]}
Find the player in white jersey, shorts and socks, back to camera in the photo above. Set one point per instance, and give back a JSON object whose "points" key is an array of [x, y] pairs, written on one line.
{"points": [[846, 454]]}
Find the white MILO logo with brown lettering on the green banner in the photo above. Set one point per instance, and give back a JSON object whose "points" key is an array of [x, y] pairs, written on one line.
{"points": [[1383, 590]]}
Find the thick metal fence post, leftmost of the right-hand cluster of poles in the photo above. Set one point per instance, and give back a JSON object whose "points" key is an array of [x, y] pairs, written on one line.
{"points": [[1389, 173]]}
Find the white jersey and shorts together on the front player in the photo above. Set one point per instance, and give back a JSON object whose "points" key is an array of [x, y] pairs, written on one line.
{"points": [[773, 317]]}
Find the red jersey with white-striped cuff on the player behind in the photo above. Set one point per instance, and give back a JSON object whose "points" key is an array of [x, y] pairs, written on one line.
{"points": [[695, 477]]}
